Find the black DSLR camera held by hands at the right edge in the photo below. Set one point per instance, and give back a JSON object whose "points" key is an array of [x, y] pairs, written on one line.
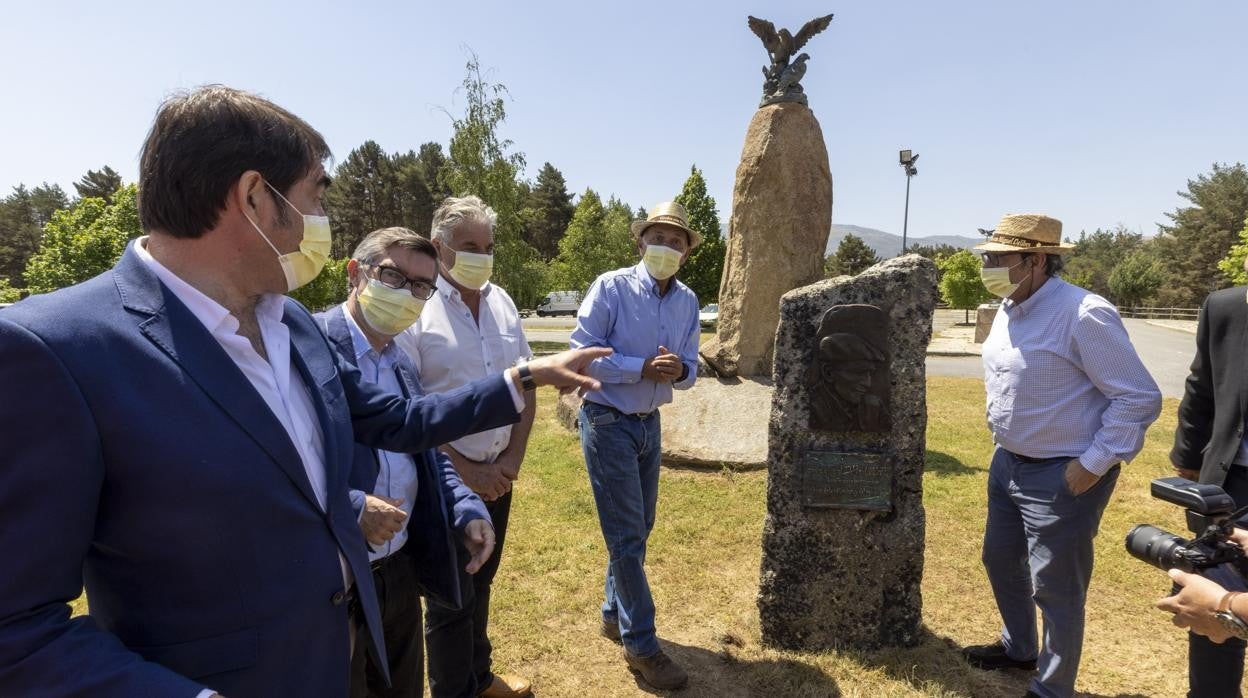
{"points": [[1211, 518]]}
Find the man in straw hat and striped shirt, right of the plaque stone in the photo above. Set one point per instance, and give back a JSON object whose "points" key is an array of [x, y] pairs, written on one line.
{"points": [[1068, 401]]}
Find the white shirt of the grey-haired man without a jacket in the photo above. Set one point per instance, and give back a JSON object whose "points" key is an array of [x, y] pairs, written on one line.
{"points": [[450, 349]]}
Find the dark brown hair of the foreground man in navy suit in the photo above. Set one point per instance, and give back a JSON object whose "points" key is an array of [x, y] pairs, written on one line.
{"points": [[203, 142]]}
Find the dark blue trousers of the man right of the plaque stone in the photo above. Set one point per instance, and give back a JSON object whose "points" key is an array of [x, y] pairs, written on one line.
{"points": [[1038, 551]]}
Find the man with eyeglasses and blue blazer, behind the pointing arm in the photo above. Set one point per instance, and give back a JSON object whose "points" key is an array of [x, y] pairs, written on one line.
{"points": [[405, 501]]}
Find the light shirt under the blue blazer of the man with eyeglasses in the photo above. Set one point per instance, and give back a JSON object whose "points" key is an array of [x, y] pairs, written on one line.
{"points": [[396, 476]]}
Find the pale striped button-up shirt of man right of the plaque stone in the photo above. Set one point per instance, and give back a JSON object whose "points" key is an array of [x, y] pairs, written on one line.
{"points": [[1063, 379]]}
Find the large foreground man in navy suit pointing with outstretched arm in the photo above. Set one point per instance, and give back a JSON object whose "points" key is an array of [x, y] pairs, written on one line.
{"points": [[178, 436]]}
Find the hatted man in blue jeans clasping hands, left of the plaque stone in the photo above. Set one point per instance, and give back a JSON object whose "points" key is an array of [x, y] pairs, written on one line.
{"points": [[651, 322]]}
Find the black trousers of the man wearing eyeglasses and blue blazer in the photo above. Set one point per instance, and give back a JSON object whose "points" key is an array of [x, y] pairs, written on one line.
{"points": [[400, 602]]}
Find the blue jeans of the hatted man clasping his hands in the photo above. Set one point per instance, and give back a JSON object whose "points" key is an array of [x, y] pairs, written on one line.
{"points": [[622, 455]]}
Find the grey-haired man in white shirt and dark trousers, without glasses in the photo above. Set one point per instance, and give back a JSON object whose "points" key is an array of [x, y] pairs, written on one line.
{"points": [[471, 329]]}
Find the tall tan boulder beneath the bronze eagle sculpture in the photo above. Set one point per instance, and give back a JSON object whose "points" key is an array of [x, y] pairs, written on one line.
{"points": [[782, 217]]}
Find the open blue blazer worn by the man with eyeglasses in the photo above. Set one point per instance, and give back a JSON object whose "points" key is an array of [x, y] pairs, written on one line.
{"points": [[444, 503]]}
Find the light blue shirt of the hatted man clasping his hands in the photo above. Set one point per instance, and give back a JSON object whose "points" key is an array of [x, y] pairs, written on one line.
{"points": [[623, 310]]}
